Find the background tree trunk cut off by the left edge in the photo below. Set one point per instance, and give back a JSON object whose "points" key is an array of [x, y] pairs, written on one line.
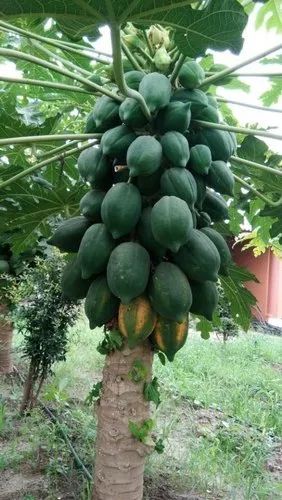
{"points": [[6, 336]]}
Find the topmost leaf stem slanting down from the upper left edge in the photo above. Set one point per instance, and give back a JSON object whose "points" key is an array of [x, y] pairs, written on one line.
{"points": [[77, 49]]}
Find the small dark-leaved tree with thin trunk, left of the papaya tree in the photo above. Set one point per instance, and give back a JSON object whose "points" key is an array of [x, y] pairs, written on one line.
{"points": [[43, 316]]}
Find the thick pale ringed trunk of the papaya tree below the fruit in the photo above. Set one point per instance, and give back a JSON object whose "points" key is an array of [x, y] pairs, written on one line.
{"points": [[120, 458]]}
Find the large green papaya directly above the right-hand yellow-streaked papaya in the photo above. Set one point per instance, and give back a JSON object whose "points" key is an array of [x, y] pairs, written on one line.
{"points": [[169, 292]]}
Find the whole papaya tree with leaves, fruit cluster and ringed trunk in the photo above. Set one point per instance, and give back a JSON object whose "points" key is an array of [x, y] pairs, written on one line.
{"points": [[164, 172]]}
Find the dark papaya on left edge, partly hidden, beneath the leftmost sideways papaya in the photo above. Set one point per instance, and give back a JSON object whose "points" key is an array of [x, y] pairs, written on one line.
{"points": [[73, 286]]}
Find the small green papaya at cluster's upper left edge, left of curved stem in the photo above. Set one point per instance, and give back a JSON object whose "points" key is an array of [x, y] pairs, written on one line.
{"points": [[106, 113]]}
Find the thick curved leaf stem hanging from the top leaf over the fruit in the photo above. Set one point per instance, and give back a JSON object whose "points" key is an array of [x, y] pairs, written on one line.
{"points": [[118, 70]]}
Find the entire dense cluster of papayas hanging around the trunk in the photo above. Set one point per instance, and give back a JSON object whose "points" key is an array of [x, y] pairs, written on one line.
{"points": [[145, 249]]}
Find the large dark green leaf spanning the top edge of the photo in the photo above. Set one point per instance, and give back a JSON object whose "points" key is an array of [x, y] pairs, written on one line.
{"points": [[219, 26]]}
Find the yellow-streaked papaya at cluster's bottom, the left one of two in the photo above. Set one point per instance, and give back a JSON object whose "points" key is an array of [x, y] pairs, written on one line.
{"points": [[136, 320]]}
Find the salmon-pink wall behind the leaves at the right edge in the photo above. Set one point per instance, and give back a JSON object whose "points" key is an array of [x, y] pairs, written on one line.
{"points": [[268, 269]]}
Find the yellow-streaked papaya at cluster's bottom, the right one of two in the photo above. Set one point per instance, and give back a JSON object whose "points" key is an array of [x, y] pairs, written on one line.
{"points": [[169, 336]]}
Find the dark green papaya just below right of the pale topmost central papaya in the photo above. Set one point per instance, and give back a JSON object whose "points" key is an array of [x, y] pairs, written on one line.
{"points": [[175, 116]]}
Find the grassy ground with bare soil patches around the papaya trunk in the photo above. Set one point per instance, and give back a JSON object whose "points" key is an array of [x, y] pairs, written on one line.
{"points": [[219, 418]]}
